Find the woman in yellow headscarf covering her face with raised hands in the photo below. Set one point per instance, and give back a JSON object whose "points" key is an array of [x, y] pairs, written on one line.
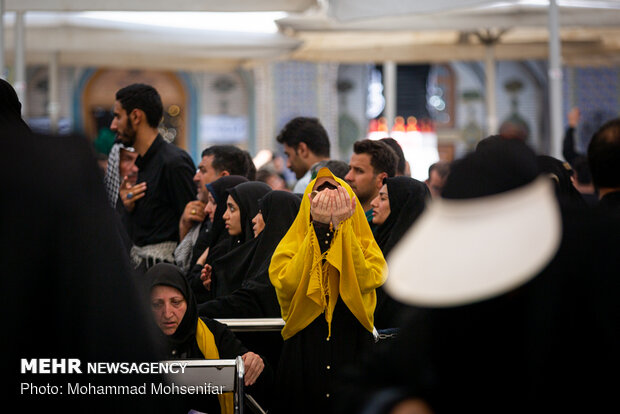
{"points": [[325, 272]]}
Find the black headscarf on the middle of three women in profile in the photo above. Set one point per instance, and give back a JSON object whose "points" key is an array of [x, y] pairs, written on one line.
{"points": [[230, 269]]}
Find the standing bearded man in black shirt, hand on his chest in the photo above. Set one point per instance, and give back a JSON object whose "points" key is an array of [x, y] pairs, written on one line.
{"points": [[165, 177]]}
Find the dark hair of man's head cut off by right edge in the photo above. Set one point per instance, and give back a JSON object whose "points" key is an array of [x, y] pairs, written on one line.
{"points": [[604, 155]]}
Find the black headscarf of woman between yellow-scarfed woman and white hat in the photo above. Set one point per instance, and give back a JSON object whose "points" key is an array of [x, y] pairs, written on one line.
{"points": [[408, 198]]}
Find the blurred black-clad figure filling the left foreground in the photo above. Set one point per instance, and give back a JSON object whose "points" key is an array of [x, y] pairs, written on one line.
{"points": [[67, 280]]}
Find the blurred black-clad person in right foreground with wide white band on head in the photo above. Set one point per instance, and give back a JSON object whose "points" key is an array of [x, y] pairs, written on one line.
{"points": [[515, 294]]}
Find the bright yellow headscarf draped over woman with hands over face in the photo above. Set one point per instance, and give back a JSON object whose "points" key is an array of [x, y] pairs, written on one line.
{"points": [[354, 267]]}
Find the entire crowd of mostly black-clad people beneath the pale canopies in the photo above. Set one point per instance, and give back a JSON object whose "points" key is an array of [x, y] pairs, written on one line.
{"points": [[378, 318]]}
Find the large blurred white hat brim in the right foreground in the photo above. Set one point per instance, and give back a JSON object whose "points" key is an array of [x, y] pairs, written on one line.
{"points": [[466, 250]]}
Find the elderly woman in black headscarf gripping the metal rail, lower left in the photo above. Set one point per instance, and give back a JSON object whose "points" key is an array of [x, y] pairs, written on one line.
{"points": [[186, 336]]}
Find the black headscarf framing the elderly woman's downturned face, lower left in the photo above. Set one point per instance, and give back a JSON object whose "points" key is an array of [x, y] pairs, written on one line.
{"points": [[170, 275]]}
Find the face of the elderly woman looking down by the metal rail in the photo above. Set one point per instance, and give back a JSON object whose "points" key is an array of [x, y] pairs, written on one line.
{"points": [[169, 307]]}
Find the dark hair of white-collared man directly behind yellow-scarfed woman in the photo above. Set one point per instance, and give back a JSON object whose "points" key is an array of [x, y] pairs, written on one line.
{"points": [[307, 130]]}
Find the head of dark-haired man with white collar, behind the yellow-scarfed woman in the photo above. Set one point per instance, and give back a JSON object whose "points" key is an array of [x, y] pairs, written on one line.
{"points": [[306, 146]]}
